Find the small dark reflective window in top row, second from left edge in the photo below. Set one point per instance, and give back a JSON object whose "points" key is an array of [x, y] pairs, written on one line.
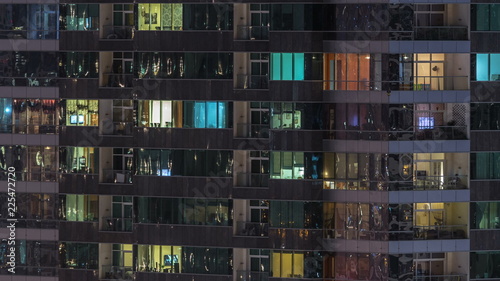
{"points": [[80, 16]]}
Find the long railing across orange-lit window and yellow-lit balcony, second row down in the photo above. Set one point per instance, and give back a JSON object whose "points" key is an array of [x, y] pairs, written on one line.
{"points": [[413, 83]]}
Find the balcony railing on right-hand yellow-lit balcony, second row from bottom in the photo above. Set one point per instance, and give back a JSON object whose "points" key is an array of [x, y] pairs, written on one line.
{"points": [[440, 232]]}
